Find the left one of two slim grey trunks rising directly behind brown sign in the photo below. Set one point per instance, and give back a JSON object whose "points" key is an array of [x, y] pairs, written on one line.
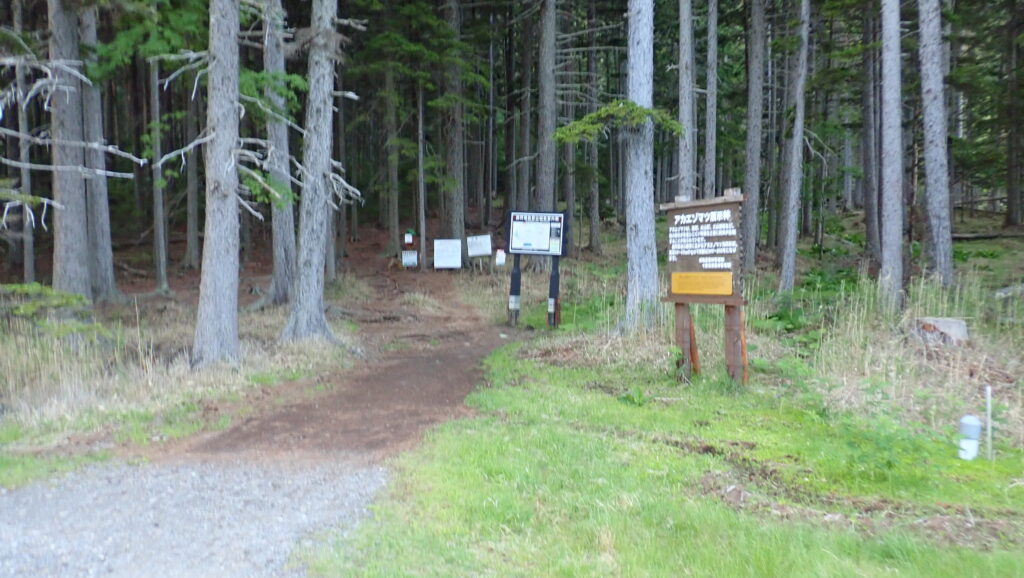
{"points": [[688, 105]]}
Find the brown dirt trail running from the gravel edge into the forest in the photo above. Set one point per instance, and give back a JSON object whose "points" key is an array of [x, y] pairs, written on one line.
{"points": [[424, 351]]}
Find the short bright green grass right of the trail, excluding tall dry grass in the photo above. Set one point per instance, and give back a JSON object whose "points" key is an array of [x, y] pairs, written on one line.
{"points": [[613, 471]]}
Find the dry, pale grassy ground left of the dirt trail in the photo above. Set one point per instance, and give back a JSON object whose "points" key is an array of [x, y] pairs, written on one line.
{"points": [[124, 373]]}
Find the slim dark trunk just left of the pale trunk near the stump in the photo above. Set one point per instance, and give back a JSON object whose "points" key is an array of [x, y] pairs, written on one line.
{"points": [[869, 146]]}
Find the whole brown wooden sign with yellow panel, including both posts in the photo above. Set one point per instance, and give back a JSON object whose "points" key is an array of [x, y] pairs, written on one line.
{"points": [[705, 267]]}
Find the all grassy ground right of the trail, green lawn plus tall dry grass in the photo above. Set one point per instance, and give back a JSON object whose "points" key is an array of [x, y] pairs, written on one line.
{"points": [[588, 458]]}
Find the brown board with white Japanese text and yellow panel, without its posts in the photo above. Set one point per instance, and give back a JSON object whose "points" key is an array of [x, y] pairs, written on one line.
{"points": [[705, 247]]}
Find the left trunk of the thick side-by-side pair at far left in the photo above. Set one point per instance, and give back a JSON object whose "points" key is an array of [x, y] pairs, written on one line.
{"points": [[71, 238]]}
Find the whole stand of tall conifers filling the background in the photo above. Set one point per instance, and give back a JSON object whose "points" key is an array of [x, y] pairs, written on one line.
{"points": [[907, 112]]}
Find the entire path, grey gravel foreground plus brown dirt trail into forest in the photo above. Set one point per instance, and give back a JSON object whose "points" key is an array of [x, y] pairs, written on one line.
{"points": [[310, 455]]}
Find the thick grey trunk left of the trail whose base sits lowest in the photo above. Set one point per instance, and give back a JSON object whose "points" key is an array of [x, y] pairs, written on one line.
{"points": [[218, 321]]}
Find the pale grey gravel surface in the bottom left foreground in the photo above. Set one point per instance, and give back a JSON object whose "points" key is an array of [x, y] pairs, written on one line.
{"points": [[197, 520]]}
